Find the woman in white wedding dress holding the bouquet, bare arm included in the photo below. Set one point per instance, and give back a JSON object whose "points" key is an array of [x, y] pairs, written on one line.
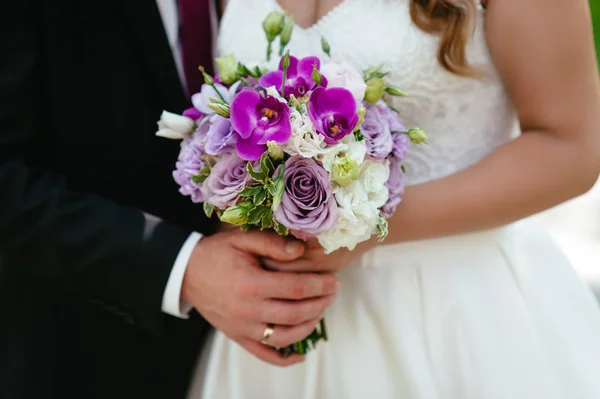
{"points": [[463, 300]]}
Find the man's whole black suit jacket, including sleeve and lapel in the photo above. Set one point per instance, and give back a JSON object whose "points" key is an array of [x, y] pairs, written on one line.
{"points": [[82, 84]]}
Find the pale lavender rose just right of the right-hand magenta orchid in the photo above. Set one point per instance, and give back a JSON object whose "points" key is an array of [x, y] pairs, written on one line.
{"points": [[376, 130]]}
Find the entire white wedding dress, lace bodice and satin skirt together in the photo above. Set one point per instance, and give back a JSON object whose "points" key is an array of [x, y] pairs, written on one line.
{"points": [[497, 314]]}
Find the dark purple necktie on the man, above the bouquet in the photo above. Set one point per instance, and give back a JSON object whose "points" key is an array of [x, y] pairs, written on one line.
{"points": [[195, 40]]}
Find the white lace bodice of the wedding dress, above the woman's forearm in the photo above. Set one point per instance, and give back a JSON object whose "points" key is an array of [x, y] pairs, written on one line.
{"points": [[464, 118]]}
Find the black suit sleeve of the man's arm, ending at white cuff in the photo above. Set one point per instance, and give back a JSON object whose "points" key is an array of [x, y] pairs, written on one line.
{"points": [[77, 241]]}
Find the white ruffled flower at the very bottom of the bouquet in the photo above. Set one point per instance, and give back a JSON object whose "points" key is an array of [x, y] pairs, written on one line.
{"points": [[349, 231]]}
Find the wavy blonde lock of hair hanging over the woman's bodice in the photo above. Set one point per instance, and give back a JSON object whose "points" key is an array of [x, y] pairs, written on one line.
{"points": [[453, 21]]}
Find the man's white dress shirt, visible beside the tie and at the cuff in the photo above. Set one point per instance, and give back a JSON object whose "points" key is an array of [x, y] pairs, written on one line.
{"points": [[172, 303]]}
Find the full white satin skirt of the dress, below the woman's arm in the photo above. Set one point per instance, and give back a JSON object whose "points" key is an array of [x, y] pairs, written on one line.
{"points": [[498, 314]]}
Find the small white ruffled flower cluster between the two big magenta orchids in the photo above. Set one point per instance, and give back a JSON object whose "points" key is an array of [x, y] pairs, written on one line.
{"points": [[304, 141]]}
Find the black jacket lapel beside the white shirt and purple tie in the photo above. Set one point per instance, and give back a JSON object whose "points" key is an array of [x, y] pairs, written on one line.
{"points": [[147, 28]]}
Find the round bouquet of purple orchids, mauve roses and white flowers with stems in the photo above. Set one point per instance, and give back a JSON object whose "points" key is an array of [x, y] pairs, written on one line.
{"points": [[309, 149]]}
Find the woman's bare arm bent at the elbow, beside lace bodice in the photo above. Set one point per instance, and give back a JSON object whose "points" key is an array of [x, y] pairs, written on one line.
{"points": [[543, 49]]}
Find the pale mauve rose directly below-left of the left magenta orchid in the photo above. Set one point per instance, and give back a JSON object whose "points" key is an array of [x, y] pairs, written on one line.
{"points": [[227, 178]]}
